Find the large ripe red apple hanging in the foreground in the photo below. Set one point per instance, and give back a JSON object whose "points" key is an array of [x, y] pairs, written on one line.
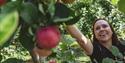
{"points": [[48, 37]]}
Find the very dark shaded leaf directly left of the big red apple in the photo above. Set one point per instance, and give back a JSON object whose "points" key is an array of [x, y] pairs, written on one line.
{"points": [[25, 38]]}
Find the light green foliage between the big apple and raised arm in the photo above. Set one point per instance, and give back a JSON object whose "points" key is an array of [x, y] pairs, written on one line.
{"points": [[66, 51]]}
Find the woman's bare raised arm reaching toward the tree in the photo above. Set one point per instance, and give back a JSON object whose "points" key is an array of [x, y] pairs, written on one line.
{"points": [[81, 39]]}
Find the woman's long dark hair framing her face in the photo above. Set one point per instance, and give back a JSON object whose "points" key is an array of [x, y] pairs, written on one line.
{"points": [[115, 40]]}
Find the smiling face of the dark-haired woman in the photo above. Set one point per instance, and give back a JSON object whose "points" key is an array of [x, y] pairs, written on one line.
{"points": [[102, 31]]}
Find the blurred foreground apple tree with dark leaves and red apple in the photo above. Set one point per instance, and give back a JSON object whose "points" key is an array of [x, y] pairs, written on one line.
{"points": [[36, 22]]}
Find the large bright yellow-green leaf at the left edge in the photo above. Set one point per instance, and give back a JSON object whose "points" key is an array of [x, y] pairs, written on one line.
{"points": [[8, 24]]}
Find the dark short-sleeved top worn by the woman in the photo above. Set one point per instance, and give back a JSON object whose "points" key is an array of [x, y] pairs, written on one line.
{"points": [[100, 52]]}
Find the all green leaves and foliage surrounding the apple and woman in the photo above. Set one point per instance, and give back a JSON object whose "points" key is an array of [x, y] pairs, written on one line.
{"points": [[32, 14]]}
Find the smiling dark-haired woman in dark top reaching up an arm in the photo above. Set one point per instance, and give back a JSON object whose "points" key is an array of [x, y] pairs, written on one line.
{"points": [[104, 38]]}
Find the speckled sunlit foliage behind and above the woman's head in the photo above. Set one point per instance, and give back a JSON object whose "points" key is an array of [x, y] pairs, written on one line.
{"points": [[105, 10]]}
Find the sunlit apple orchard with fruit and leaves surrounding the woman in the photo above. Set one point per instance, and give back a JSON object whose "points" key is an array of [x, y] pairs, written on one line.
{"points": [[33, 31]]}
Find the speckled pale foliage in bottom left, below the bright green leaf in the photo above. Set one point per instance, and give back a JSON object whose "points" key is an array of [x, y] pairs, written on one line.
{"points": [[15, 52]]}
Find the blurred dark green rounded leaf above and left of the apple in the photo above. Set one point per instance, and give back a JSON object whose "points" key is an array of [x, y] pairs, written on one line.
{"points": [[28, 12]]}
